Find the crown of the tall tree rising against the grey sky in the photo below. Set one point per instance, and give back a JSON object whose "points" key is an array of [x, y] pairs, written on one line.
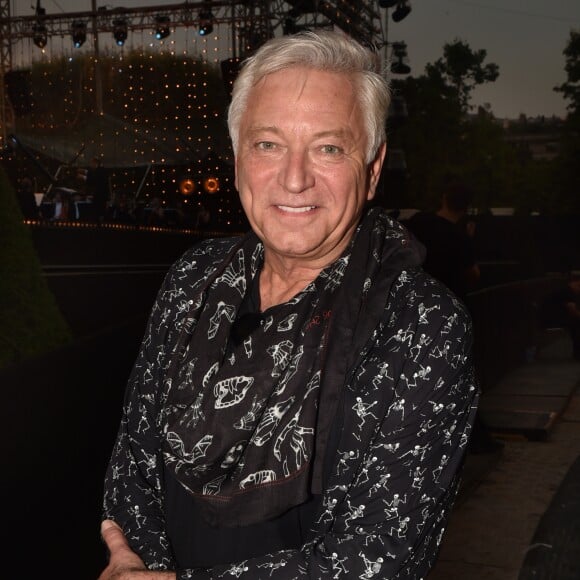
{"points": [[463, 69]]}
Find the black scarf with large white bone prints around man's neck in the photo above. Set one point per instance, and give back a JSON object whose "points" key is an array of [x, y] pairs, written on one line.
{"points": [[243, 432]]}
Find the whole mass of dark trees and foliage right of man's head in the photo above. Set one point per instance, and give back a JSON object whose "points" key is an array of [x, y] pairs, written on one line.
{"points": [[439, 137]]}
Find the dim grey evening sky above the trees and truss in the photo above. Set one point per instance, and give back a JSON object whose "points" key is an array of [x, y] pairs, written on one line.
{"points": [[525, 38]]}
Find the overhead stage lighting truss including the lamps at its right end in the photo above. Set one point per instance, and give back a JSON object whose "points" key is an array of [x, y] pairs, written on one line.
{"points": [[250, 23]]}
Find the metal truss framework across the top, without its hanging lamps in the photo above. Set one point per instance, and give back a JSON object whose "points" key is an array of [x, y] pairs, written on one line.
{"points": [[252, 21]]}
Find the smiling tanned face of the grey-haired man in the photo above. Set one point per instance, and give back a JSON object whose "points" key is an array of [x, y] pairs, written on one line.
{"points": [[300, 167]]}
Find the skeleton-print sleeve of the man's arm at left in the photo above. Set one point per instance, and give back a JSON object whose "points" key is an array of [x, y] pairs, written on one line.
{"points": [[134, 491]]}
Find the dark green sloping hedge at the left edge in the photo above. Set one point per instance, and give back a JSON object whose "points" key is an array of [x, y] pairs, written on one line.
{"points": [[30, 322]]}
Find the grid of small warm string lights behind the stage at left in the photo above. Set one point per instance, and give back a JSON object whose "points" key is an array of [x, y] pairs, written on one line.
{"points": [[161, 111]]}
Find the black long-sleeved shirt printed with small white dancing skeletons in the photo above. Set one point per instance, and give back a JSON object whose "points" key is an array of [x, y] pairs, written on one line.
{"points": [[403, 418]]}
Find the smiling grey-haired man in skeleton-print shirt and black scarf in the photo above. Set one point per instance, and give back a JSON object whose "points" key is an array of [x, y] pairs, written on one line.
{"points": [[303, 397]]}
